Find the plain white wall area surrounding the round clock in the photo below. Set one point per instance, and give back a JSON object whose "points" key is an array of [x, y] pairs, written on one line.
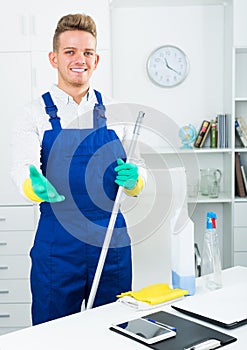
{"points": [[198, 30]]}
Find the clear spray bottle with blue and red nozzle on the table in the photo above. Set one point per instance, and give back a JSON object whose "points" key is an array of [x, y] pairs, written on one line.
{"points": [[211, 258]]}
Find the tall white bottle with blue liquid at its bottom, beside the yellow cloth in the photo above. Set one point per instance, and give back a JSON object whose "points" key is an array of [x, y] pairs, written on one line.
{"points": [[182, 237]]}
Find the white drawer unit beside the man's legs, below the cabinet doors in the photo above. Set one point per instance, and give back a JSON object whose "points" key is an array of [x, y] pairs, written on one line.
{"points": [[17, 226]]}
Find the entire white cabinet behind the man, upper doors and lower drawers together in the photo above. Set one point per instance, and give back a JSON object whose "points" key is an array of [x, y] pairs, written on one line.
{"points": [[26, 31]]}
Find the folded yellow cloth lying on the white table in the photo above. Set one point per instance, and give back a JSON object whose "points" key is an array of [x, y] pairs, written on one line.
{"points": [[156, 294]]}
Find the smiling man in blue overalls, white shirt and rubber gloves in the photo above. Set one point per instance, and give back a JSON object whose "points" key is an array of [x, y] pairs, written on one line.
{"points": [[82, 164]]}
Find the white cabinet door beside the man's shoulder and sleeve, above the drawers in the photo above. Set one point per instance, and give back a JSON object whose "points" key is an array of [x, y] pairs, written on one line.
{"points": [[15, 92]]}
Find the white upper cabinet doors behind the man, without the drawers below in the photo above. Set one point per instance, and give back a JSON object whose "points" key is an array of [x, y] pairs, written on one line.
{"points": [[25, 69]]}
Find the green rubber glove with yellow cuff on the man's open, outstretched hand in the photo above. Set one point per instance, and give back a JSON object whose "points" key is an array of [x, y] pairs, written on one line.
{"points": [[43, 190]]}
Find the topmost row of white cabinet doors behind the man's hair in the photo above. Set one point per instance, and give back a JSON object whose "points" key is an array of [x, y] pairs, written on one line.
{"points": [[31, 24]]}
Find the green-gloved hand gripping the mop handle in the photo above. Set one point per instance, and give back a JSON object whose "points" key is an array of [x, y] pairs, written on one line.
{"points": [[127, 174]]}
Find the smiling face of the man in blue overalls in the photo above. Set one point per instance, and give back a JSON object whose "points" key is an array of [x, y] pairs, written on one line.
{"points": [[76, 59]]}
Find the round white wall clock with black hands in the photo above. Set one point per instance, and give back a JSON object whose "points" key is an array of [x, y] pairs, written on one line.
{"points": [[167, 66]]}
